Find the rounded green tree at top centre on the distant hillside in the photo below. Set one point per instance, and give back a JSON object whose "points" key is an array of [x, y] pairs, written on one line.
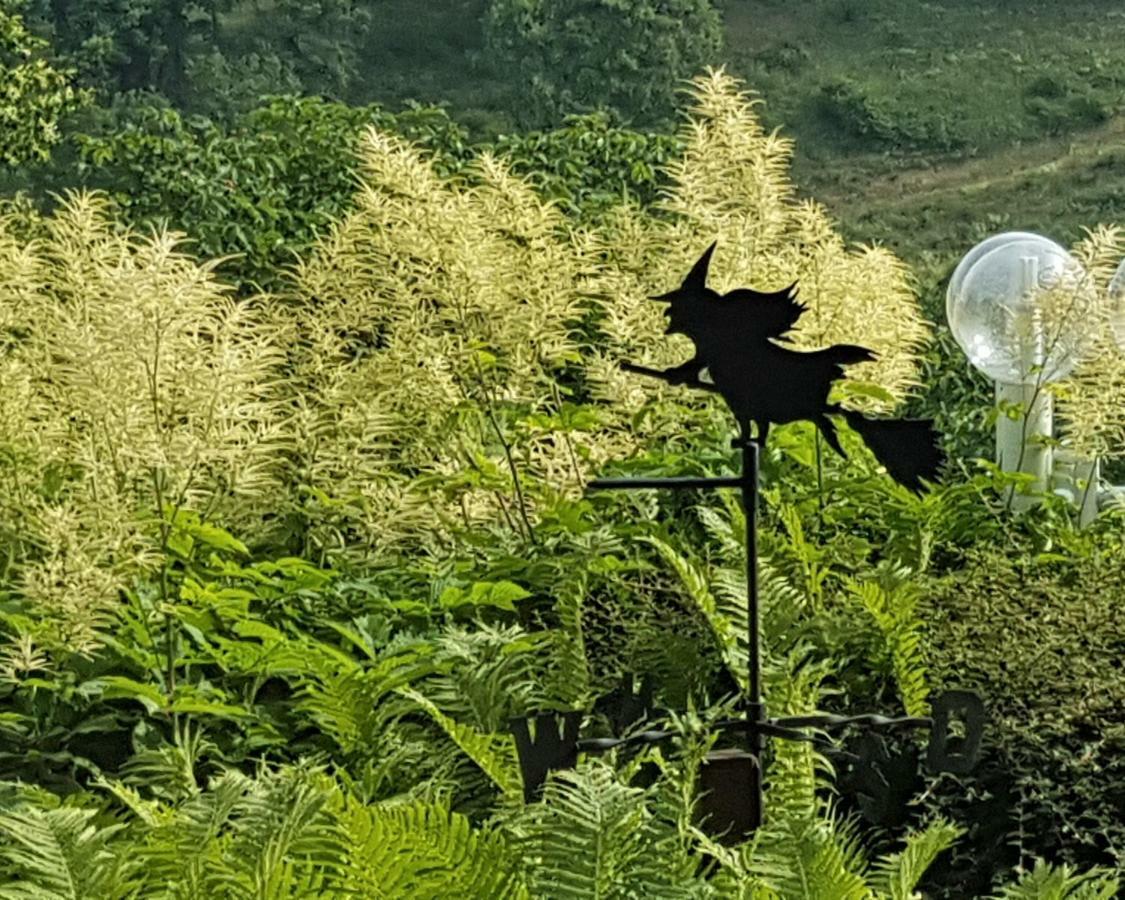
{"points": [[570, 57]]}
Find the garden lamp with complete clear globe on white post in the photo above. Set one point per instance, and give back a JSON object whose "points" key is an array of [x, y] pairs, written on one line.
{"points": [[1015, 307]]}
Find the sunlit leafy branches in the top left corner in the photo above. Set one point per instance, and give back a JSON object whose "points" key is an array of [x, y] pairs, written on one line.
{"points": [[34, 95]]}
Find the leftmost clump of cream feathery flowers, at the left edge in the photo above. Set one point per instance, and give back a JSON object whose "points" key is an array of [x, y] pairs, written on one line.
{"points": [[132, 382]]}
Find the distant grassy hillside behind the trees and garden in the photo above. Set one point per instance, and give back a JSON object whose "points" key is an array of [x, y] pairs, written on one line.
{"points": [[922, 125]]}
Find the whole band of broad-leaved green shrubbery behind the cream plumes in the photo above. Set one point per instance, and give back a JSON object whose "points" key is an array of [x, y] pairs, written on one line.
{"points": [[258, 192]]}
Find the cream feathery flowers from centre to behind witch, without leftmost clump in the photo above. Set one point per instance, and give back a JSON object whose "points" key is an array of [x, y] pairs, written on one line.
{"points": [[447, 325]]}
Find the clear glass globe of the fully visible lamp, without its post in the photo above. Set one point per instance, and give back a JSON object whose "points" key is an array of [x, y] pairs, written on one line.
{"points": [[1022, 312]]}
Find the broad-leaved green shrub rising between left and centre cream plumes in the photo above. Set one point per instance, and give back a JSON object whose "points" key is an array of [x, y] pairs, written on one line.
{"points": [[259, 192]]}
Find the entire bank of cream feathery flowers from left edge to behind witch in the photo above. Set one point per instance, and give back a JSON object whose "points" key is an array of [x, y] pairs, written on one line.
{"points": [[447, 359]]}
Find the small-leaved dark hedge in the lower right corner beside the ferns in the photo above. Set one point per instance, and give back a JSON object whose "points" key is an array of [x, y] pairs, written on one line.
{"points": [[1039, 637]]}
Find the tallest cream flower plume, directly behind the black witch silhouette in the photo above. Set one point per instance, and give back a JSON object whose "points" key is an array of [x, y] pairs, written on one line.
{"points": [[732, 186]]}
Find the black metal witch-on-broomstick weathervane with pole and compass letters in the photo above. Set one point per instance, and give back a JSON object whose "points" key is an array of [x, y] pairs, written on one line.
{"points": [[740, 345]]}
